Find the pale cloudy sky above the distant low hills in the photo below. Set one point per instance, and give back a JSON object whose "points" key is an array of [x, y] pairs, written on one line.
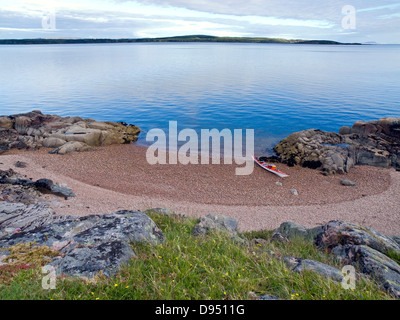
{"points": [[345, 21]]}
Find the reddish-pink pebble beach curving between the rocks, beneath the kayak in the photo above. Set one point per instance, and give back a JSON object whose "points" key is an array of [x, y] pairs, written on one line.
{"points": [[118, 177]]}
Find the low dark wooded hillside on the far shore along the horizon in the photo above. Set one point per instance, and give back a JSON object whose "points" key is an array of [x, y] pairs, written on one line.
{"points": [[191, 38]]}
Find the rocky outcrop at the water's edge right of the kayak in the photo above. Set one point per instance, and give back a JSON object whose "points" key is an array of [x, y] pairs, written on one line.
{"points": [[375, 143]]}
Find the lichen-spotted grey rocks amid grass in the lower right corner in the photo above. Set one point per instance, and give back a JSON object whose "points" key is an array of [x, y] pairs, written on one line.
{"points": [[372, 253]]}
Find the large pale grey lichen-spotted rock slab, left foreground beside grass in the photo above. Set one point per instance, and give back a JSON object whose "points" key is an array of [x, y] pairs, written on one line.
{"points": [[86, 246]]}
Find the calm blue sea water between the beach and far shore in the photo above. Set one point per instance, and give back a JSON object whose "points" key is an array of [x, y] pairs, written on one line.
{"points": [[271, 88]]}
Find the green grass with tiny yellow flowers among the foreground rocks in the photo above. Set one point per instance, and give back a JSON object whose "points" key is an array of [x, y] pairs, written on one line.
{"points": [[213, 267]]}
